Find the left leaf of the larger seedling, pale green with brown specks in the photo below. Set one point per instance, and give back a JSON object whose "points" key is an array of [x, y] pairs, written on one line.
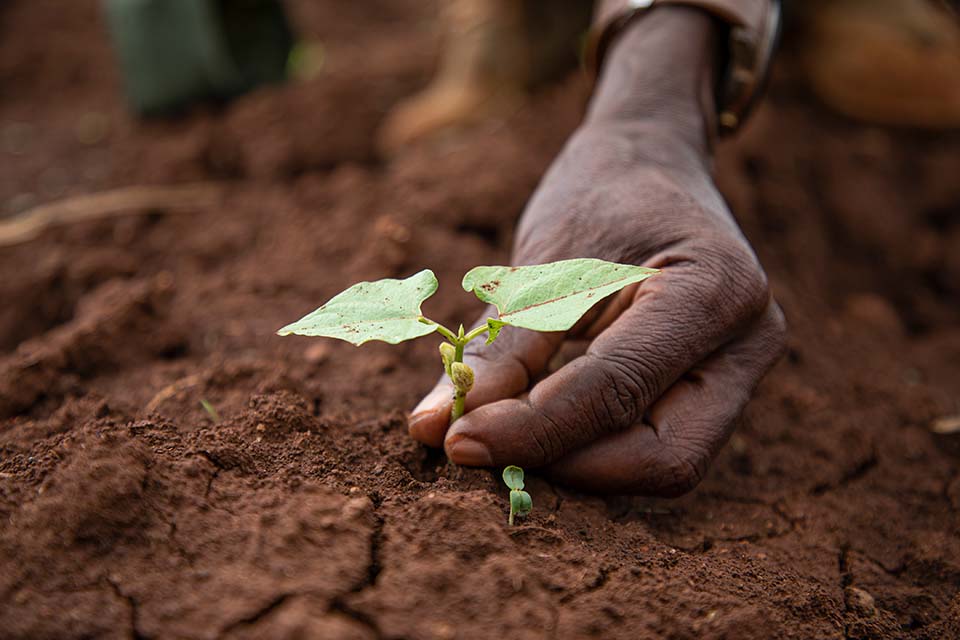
{"points": [[386, 310]]}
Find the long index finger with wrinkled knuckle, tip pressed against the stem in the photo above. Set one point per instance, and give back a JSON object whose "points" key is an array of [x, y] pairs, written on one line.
{"points": [[675, 320]]}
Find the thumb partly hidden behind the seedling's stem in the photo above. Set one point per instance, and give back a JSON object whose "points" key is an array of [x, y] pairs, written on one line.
{"points": [[501, 370]]}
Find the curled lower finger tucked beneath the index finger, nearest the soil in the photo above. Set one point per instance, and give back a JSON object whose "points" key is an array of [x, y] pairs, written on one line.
{"points": [[668, 453]]}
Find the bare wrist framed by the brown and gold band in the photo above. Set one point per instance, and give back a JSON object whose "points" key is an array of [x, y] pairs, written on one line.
{"points": [[659, 74]]}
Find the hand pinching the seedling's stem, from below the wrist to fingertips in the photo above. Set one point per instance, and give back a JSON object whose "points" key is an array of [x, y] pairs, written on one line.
{"points": [[672, 362]]}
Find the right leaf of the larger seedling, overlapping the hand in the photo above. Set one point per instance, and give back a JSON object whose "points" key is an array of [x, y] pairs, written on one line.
{"points": [[550, 297]]}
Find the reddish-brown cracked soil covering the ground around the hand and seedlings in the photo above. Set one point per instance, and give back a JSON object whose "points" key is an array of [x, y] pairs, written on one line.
{"points": [[306, 511]]}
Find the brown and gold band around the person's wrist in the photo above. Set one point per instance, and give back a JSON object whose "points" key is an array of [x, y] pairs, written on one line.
{"points": [[753, 28]]}
